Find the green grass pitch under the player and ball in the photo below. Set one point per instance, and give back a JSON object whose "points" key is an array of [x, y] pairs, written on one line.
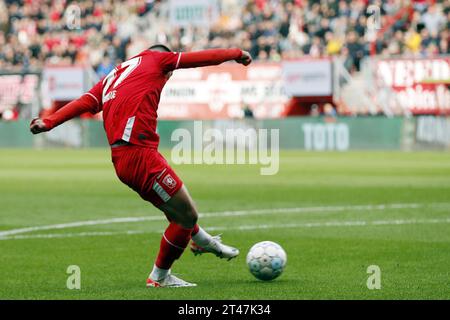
{"points": [[360, 208]]}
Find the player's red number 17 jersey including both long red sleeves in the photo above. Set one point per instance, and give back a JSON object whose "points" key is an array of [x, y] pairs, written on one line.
{"points": [[129, 95]]}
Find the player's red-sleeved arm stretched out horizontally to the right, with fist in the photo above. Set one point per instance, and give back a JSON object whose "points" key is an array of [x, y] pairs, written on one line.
{"points": [[213, 57]]}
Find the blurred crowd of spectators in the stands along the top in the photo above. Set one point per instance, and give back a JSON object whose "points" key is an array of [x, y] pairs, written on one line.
{"points": [[103, 33]]}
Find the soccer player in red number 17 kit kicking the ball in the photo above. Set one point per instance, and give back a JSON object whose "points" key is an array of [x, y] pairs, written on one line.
{"points": [[129, 97]]}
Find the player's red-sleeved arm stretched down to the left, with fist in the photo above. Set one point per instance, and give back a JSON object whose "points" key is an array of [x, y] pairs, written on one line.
{"points": [[86, 103]]}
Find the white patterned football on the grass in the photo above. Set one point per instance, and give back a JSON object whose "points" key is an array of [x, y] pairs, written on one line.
{"points": [[266, 260]]}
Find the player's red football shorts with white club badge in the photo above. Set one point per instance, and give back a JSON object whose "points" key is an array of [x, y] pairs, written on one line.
{"points": [[147, 172]]}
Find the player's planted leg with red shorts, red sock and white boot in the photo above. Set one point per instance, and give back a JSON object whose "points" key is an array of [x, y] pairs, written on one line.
{"points": [[146, 172]]}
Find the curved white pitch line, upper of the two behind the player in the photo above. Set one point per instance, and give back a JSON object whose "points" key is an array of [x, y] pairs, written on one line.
{"points": [[214, 214]]}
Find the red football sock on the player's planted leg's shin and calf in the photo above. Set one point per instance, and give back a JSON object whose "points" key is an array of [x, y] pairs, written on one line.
{"points": [[174, 241]]}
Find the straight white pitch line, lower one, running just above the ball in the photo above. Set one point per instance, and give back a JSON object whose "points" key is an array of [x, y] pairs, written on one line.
{"points": [[352, 223]]}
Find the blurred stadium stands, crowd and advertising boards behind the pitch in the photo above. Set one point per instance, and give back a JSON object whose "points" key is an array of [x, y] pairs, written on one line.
{"points": [[374, 74]]}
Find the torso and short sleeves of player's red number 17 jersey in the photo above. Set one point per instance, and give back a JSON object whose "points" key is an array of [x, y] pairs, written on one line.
{"points": [[129, 97]]}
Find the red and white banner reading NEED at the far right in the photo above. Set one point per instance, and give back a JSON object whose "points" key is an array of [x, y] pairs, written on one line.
{"points": [[419, 85]]}
